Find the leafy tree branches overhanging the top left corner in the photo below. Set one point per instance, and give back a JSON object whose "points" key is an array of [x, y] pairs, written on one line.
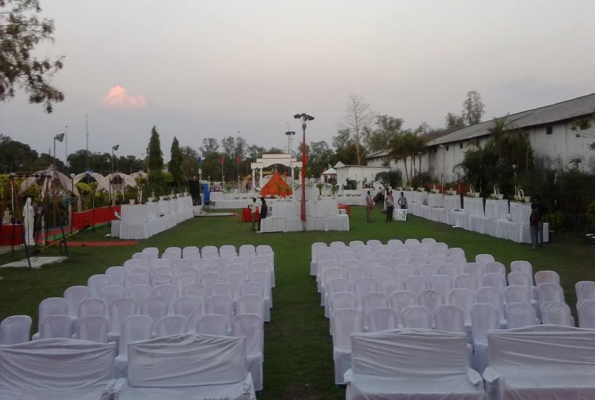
{"points": [[21, 31]]}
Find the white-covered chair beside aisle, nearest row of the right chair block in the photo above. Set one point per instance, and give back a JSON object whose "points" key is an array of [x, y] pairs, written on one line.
{"points": [[344, 321]]}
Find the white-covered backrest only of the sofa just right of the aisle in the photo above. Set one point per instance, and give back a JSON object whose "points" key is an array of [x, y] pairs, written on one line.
{"points": [[409, 353]]}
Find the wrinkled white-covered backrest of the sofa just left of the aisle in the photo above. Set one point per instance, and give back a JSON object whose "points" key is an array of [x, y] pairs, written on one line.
{"points": [[187, 360]]}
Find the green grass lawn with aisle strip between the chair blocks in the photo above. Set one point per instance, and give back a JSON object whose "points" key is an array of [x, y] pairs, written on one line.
{"points": [[298, 348]]}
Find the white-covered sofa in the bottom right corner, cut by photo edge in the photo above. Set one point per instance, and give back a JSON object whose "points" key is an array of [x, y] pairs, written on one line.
{"points": [[541, 362]]}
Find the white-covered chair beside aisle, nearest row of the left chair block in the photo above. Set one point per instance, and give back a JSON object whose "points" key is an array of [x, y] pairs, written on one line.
{"points": [[250, 327]]}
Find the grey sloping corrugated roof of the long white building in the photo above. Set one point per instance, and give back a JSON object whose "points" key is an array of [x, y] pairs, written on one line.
{"points": [[569, 109]]}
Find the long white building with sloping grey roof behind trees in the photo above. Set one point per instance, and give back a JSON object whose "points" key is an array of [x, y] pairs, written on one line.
{"points": [[548, 128]]}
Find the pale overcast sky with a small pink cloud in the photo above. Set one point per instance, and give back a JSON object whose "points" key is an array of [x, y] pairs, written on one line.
{"points": [[201, 69]]}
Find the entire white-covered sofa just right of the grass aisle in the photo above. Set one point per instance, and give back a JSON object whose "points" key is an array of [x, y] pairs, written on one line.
{"points": [[412, 364]]}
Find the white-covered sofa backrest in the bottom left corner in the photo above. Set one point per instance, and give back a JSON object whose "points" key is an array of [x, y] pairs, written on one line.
{"points": [[56, 365]]}
